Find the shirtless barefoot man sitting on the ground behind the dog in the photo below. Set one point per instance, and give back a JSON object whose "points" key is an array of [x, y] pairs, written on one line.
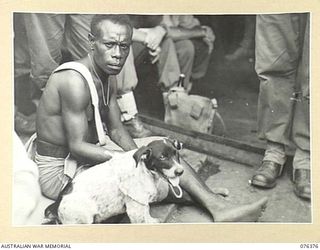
{"points": [[66, 127]]}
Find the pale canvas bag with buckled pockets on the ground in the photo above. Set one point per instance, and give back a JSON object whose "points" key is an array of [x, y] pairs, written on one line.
{"points": [[192, 112]]}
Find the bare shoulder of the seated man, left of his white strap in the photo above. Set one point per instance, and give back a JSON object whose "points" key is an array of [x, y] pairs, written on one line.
{"points": [[72, 88]]}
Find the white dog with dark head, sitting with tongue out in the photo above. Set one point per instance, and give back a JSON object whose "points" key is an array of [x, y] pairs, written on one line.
{"points": [[128, 182]]}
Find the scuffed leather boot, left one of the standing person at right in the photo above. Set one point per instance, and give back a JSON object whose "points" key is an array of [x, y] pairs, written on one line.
{"points": [[267, 174]]}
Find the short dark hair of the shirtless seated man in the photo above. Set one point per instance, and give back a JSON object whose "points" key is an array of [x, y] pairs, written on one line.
{"points": [[117, 19]]}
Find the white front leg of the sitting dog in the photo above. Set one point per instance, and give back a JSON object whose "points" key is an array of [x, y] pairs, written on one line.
{"points": [[139, 213]]}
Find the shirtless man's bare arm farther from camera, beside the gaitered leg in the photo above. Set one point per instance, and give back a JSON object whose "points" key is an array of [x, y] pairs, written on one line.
{"points": [[117, 132]]}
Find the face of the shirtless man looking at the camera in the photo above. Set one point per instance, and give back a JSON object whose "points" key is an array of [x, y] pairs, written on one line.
{"points": [[112, 46]]}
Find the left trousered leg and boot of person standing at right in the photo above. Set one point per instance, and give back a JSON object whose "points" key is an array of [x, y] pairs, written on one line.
{"points": [[276, 66]]}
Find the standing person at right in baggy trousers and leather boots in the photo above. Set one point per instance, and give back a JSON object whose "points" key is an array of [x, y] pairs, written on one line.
{"points": [[282, 64]]}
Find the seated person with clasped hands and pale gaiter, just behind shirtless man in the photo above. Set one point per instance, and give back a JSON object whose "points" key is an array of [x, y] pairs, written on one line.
{"points": [[162, 54]]}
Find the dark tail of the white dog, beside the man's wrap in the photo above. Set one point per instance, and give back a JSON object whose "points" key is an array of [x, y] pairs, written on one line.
{"points": [[51, 212]]}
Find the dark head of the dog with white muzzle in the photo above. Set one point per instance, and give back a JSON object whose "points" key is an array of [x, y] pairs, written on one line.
{"points": [[162, 156]]}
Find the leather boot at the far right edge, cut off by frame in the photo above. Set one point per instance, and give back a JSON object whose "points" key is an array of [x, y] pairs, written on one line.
{"points": [[302, 187]]}
